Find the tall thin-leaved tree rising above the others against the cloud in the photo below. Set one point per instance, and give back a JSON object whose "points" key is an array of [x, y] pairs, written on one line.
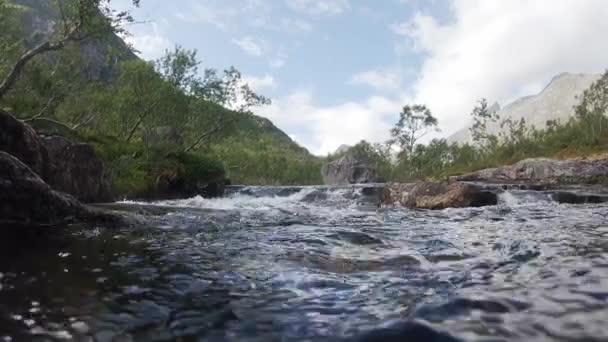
{"points": [[415, 122]]}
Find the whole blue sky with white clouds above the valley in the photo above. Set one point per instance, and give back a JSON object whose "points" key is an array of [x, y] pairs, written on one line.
{"points": [[339, 71]]}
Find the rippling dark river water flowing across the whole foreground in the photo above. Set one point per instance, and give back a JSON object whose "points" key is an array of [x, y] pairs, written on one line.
{"points": [[315, 264]]}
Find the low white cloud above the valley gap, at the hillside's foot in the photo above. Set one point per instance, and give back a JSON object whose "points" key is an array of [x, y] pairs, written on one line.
{"points": [[322, 129]]}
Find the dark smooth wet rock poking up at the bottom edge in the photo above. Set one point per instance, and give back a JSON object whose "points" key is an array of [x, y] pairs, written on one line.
{"points": [[413, 331]]}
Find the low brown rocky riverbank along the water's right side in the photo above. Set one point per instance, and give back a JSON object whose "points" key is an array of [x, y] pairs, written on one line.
{"points": [[566, 181]]}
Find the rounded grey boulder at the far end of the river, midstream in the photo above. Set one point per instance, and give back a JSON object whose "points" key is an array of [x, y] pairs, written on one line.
{"points": [[349, 169]]}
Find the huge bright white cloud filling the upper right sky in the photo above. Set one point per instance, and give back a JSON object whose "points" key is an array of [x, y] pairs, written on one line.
{"points": [[501, 49]]}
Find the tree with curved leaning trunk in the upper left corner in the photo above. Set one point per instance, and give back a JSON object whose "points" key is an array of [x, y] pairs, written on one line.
{"points": [[79, 20]]}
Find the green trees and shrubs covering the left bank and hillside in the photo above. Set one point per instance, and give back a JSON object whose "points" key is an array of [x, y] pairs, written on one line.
{"points": [[146, 119]]}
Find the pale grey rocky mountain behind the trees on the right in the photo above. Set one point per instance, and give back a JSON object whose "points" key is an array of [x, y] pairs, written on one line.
{"points": [[555, 102]]}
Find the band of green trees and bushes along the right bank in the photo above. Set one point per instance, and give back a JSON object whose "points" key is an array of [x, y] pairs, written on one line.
{"points": [[584, 134]]}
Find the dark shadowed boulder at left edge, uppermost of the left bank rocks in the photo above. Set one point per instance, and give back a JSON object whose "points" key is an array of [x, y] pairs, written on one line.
{"points": [[21, 141]]}
